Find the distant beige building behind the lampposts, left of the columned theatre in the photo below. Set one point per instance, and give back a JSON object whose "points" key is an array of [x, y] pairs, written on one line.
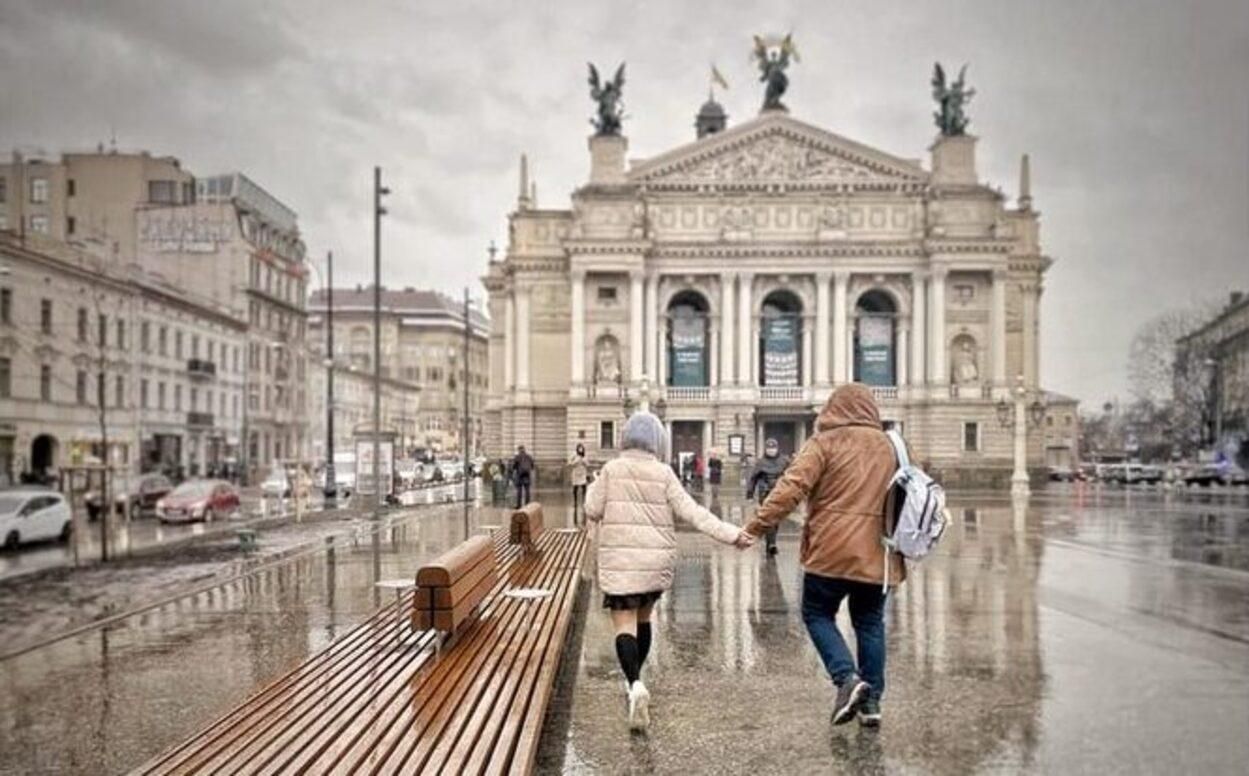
{"points": [[423, 344]]}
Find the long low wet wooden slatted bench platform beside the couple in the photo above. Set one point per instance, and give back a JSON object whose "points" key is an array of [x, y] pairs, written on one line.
{"points": [[379, 700]]}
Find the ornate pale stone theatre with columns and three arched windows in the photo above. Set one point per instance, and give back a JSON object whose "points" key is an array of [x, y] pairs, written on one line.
{"points": [[734, 282]]}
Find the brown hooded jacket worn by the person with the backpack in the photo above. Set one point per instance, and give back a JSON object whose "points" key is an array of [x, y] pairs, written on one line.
{"points": [[844, 474]]}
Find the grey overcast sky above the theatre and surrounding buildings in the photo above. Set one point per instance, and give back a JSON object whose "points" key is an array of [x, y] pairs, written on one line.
{"points": [[1136, 114]]}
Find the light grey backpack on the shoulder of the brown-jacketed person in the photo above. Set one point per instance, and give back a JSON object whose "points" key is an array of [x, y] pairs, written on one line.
{"points": [[919, 515]]}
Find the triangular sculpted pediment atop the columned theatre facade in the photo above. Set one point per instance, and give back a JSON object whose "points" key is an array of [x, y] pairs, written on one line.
{"points": [[776, 149]]}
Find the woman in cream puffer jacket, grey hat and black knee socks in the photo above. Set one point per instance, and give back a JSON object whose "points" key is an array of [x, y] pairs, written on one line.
{"points": [[634, 499]]}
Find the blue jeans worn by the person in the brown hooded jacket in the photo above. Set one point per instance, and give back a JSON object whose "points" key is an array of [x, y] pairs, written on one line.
{"points": [[821, 599]]}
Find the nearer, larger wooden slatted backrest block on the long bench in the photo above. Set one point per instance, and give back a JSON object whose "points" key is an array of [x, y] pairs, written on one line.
{"points": [[450, 588]]}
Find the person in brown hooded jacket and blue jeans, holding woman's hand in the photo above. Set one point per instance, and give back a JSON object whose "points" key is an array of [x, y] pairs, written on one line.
{"points": [[844, 474]]}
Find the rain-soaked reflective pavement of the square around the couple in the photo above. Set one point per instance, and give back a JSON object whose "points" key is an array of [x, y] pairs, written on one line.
{"points": [[1087, 632]]}
